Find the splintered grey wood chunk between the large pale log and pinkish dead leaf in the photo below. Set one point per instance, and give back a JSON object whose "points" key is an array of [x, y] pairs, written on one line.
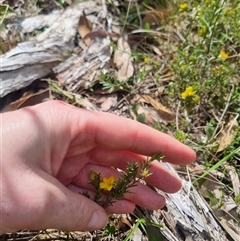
{"points": [[80, 72]]}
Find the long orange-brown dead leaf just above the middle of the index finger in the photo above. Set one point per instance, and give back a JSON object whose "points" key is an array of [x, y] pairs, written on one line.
{"points": [[163, 112]]}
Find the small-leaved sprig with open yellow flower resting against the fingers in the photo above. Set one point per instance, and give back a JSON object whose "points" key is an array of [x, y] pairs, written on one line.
{"points": [[109, 189]]}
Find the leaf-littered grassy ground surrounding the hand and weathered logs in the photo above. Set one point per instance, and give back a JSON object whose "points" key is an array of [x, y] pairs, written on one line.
{"points": [[177, 69]]}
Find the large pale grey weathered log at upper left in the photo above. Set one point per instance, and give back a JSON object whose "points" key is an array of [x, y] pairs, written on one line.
{"points": [[35, 59]]}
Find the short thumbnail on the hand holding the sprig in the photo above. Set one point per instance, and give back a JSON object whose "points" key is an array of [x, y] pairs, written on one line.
{"points": [[97, 221]]}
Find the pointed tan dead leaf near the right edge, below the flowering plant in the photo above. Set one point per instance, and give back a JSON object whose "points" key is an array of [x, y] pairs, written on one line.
{"points": [[227, 135]]}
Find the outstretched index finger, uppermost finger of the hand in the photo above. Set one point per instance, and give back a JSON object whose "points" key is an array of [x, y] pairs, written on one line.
{"points": [[112, 132]]}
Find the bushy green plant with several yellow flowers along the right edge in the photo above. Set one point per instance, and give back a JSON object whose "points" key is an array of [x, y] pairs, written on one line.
{"points": [[205, 66]]}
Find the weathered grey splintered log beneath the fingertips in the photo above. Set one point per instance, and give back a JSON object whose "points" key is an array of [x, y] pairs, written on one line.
{"points": [[187, 216]]}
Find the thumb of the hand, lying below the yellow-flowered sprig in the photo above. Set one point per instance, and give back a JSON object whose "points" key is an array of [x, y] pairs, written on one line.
{"points": [[72, 211]]}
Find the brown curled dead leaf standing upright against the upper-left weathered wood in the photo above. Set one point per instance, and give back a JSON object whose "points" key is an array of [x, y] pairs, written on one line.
{"points": [[84, 28]]}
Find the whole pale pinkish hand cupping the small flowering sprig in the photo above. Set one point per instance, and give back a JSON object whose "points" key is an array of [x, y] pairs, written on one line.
{"points": [[48, 151]]}
